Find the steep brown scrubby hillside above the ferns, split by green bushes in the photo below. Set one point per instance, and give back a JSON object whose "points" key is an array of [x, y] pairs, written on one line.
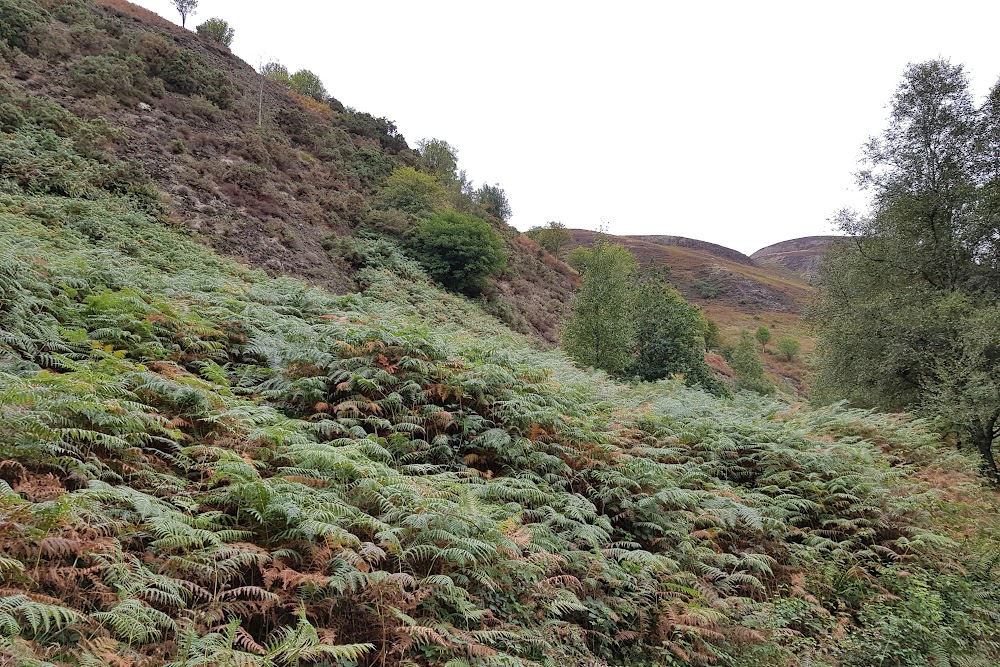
{"points": [[259, 173]]}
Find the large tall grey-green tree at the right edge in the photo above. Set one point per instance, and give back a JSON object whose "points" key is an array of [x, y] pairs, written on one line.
{"points": [[908, 303]]}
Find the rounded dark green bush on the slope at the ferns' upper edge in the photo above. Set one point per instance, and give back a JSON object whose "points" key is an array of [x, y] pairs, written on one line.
{"points": [[460, 251]]}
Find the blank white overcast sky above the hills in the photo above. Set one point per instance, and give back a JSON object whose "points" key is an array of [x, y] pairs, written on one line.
{"points": [[739, 123]]}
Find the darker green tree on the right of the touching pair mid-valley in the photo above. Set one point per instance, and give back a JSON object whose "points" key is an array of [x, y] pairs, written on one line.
{"points": [[669, 336]]}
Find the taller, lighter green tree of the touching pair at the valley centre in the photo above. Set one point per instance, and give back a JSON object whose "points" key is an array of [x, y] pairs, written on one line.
{"points": [[600, 331]]}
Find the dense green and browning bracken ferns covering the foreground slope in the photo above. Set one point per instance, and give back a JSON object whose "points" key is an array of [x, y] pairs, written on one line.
{"points": [[202, 465]]}
